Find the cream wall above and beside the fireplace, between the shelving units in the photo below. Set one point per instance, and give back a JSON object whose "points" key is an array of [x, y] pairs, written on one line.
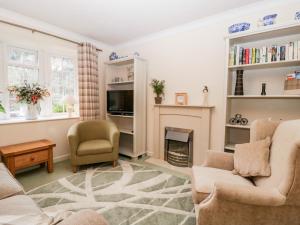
{"points": [[191, 56]]}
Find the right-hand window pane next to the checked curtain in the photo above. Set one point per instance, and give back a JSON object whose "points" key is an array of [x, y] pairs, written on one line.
{"points": [[63, 82]]}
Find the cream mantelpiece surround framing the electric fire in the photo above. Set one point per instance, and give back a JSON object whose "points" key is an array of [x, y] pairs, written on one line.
{"points": [[193, 117]]}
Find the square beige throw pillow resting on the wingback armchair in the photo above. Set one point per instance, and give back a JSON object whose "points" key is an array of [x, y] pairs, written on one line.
{"points": [[252, 159]]}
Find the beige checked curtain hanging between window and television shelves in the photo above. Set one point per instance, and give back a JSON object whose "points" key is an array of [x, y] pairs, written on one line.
{"points": [[89, 102]]}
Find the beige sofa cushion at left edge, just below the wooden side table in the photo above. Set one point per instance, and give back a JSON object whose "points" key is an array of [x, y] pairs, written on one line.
{"points": [[8, 184]]}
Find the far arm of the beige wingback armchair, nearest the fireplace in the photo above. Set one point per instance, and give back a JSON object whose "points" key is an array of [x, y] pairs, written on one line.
{"points": [[220, 160]]}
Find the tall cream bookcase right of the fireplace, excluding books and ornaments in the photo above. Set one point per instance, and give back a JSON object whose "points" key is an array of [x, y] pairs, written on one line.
{"points": [[252, 105]]}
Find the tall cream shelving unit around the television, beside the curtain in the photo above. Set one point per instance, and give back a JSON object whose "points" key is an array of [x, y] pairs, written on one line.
{"points": [[132, 127]]}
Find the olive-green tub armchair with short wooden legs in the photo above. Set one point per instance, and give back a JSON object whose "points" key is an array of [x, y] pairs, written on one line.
{"points": [[93, 142]]}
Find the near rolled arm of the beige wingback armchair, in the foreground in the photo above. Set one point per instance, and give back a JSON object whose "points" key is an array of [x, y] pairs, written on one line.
{"points": [[250, 195]]}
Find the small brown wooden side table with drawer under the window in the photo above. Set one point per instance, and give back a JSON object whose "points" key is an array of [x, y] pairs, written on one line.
{"points": [[20, 156]]}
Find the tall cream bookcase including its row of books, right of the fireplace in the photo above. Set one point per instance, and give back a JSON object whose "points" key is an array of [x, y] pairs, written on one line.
{"points": [[267, 44]]}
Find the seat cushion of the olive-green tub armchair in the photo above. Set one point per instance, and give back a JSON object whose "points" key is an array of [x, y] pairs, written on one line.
{"points": [[94, 147]]}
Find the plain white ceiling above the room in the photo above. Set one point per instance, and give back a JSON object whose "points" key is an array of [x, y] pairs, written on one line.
{"points": [[118, 21]]}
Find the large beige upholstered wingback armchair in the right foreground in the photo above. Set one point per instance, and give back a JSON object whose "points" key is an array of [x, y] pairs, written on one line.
{"points": [[227, 199]]}
